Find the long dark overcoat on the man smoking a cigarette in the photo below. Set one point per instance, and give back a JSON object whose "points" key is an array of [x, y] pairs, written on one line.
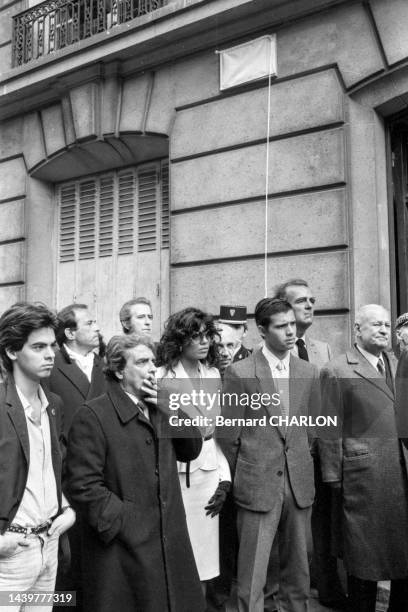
{"points": [[123, 479]]}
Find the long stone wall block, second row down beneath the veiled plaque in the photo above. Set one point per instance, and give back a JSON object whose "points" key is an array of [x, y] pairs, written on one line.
{"points": [[301, 162]]}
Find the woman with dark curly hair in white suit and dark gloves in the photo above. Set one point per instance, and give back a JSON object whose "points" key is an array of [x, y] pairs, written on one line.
{"points": [[188, 352]]}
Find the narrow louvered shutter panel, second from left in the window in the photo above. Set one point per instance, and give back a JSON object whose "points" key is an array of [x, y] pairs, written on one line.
{"points": [[87, 204]]}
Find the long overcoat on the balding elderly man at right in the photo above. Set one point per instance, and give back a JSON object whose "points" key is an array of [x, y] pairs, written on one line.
{"points": [[367, 458]]}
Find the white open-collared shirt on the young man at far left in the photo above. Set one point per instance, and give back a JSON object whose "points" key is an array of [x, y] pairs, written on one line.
{"points": [[40, 499]]}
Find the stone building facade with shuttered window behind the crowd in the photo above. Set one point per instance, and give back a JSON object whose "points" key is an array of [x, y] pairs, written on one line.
{"points": [[125, 170]]}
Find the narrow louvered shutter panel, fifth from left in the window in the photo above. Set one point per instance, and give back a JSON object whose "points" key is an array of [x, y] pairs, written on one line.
{"points": [[147, 191]]}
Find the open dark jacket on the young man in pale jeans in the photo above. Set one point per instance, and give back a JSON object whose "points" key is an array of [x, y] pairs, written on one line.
{"points": [[15, 452]]}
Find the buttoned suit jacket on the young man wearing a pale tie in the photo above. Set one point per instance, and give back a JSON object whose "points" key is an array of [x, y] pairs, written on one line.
{"points": [[258, 455]]}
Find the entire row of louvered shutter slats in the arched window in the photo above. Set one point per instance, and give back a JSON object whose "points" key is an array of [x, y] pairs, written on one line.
{"points": [[98, 214]]}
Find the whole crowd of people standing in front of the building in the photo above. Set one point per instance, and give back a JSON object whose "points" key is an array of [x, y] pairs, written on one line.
{"points": [[112, 493]]}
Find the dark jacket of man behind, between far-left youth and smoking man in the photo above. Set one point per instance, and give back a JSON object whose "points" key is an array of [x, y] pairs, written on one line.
{"points": [[69, 382]]}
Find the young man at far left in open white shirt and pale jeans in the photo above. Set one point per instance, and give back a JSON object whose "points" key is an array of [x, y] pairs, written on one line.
{"points": [[33, 510]]}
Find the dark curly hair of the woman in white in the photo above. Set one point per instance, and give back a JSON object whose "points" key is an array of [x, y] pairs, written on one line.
{"points": [[178, 331]]}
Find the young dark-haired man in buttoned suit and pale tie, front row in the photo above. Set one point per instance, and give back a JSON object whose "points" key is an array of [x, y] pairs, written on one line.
{"points": [[273, 481]]}
